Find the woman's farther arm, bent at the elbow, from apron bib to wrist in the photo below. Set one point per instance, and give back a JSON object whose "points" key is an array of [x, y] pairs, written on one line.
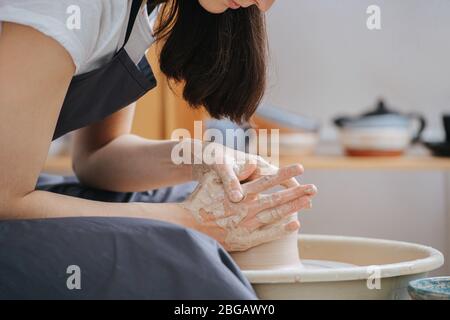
{"points": [[107, 156]]}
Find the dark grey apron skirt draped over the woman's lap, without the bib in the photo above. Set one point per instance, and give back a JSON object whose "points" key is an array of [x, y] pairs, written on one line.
{"points": [[118, 258]]}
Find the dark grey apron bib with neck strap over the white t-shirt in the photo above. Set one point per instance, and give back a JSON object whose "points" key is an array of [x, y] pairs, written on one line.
{"points": [[97, 94]]}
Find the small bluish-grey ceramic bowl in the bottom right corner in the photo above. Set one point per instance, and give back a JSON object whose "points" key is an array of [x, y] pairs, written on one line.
{"points": [[430, 289]]}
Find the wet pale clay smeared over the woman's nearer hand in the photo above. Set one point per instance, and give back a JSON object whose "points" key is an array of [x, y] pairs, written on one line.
{"points": [[210, 205]]}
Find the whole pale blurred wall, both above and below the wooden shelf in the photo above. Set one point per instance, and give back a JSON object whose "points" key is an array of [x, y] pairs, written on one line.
{"points": [[326, 62]]}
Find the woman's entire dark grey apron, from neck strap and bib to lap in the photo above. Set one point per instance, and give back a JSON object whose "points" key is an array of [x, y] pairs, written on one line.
{"points": [[117, 258]]}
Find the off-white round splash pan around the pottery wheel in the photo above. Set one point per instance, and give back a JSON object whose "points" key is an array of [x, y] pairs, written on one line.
{"points": [[397, 263]]}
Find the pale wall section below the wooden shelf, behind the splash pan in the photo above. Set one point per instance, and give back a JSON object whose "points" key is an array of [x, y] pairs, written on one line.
{"points": [[379, 204]]}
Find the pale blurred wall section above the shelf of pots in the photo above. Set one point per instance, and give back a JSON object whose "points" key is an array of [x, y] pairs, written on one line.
{"points": [[325, 61]]}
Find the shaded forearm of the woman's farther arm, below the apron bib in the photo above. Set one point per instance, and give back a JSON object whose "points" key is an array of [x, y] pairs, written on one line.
{"points": [[131, 163]]}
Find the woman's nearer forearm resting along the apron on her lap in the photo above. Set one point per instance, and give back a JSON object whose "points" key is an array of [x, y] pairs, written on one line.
{"points": [[43, 204]]}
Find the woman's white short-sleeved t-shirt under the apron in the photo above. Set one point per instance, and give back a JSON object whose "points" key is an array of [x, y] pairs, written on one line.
{"points": [[101, 32]]}
